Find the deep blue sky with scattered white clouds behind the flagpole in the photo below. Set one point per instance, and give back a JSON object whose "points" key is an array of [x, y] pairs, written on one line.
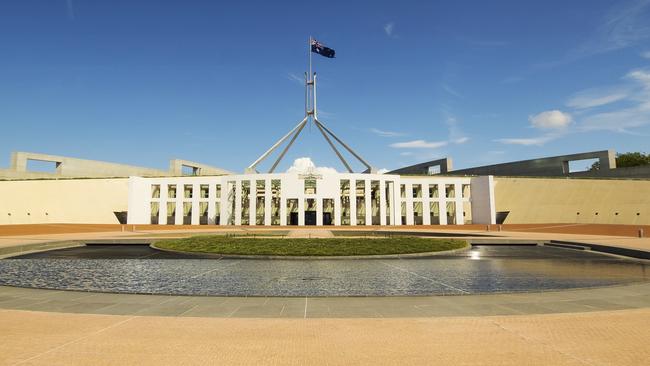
{"points": [[141, 82]]}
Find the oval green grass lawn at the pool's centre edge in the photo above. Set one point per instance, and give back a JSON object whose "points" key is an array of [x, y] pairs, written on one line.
{"points": [[309, 247]]}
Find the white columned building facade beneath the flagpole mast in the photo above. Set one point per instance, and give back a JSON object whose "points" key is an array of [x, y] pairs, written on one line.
{"points": [[338, 199]]}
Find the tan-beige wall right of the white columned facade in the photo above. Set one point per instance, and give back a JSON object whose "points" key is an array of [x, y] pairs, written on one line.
{"points": [[539, 200]]}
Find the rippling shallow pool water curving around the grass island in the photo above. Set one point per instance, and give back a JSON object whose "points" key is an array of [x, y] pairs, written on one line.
{"points": [[484, 269]]}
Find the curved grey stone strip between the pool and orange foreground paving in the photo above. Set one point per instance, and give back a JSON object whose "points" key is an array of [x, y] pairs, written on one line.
{"points": [[584, 300]]}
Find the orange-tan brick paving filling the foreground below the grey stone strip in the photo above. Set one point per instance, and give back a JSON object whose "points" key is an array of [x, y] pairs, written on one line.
{"points": [[597, 338]]}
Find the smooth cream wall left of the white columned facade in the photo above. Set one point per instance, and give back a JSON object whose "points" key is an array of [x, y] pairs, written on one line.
{"points": [[90, 201]]}
